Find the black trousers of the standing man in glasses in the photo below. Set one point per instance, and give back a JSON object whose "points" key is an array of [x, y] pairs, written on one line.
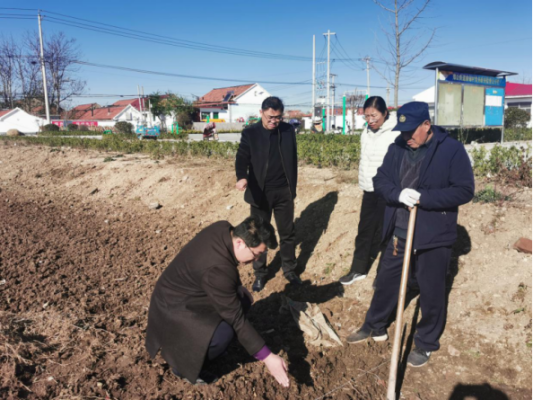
{"points": [[281, 203]]}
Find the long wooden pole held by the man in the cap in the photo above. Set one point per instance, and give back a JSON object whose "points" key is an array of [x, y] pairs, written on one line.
{"points": [[392, 382]]}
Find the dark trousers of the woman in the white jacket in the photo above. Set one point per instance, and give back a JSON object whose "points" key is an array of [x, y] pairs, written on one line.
{"points": [[369, 236]]}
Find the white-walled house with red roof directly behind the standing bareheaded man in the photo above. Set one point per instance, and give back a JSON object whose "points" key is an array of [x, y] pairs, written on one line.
{"points": [[231, 104]]}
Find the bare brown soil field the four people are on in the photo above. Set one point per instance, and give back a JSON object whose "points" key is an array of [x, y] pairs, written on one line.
{"points": [[81, 250]]}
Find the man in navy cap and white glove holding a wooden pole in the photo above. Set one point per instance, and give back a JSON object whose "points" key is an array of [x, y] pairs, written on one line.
{"points": [[427, 168]]}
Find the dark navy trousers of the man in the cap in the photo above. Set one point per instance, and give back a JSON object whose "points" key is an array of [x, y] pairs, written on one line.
{"points": [[428, 271]]}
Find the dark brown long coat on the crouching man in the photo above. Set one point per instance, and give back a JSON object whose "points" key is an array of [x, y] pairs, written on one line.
{"points": [[193, 295]]}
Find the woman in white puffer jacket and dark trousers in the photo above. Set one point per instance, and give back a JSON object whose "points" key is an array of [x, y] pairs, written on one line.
{"points": [[375, 140]]}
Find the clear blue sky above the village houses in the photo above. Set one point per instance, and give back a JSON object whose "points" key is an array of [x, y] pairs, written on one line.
{"points": [[491, 34]]}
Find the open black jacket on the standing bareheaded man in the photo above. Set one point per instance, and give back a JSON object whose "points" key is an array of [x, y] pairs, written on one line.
{"points": [[252, 159]]}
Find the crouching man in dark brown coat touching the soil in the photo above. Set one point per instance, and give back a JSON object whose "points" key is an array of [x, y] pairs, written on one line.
{"points": [[199, 304]]}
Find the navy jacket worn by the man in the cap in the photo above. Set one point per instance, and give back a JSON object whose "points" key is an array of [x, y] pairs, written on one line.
{"points": [[446, 181]]}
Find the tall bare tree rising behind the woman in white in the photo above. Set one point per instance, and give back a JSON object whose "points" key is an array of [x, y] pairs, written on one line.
{"points": [[403, 44]]}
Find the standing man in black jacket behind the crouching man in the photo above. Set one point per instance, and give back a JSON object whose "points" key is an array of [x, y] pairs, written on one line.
{"points": [[266, 167]]}
